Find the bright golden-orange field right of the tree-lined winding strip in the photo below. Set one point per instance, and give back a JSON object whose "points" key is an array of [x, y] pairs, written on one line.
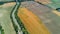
{"points": [[32, 23]]}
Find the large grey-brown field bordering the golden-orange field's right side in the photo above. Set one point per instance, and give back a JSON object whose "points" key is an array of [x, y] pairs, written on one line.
{"points": [[46, 14]]}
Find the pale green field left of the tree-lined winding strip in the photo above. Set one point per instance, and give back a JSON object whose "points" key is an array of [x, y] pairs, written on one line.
{"points": [[5, 20]]}
